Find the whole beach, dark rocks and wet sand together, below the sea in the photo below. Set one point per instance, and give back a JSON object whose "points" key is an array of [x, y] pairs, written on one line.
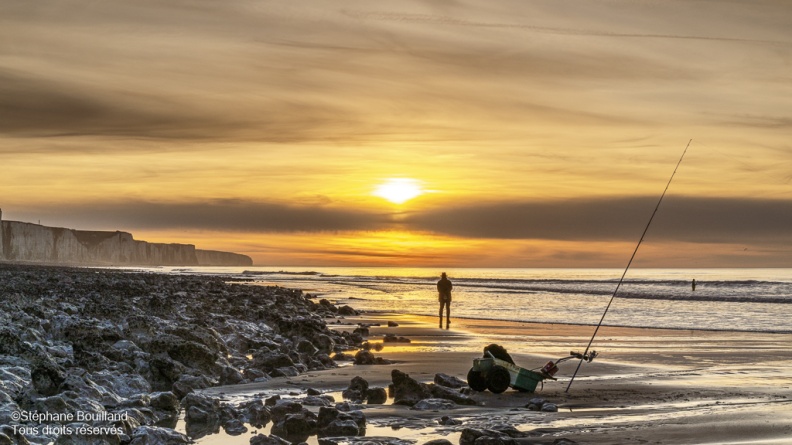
{"points": [[173, 358]]}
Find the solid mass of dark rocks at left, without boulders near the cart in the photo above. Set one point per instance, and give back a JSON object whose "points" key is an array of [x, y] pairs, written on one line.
{"points": [[116, 354]]}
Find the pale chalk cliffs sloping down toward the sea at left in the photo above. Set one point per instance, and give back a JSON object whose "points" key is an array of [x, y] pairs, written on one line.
{"points": [[21, 241]]}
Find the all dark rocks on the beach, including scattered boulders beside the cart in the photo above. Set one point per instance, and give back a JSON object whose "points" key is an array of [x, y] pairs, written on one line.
{"points": [[97, 356]]}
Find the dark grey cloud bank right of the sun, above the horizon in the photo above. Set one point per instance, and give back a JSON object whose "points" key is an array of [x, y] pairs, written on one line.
{"points": [[690, 219]]}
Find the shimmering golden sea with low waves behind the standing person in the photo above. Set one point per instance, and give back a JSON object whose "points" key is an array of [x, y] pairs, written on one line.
{"points": [[756, 300]]}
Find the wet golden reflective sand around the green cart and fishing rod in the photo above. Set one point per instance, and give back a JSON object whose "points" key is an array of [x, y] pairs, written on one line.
{"points": [[652, 386]]}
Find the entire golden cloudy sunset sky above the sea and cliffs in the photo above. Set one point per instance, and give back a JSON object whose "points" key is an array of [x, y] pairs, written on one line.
{"points": [[532, 133]]}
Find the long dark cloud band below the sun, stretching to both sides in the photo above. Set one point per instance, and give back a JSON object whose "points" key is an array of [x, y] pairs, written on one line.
{"points": [[682, 219]]}
